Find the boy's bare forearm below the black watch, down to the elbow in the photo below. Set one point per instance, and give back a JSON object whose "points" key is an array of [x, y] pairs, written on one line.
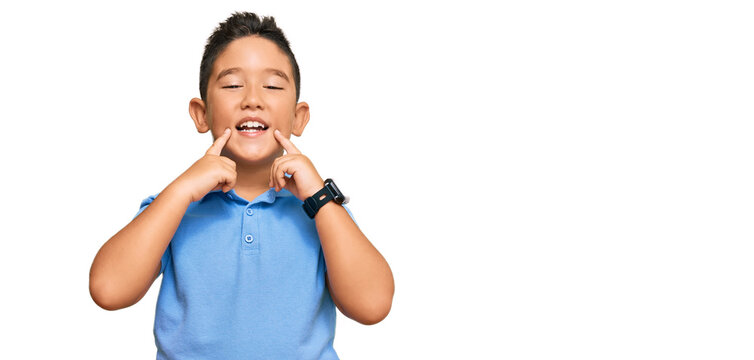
{"points": [[360, 279]]}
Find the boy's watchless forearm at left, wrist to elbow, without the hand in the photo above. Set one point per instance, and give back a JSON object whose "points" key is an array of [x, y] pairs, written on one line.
{"points": [[127, 264]]}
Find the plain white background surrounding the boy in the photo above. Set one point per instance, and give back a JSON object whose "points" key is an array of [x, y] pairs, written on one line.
{"points": [[546, 179]]}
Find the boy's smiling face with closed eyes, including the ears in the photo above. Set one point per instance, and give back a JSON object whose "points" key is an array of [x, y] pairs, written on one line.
{"points": [[251, 78]]}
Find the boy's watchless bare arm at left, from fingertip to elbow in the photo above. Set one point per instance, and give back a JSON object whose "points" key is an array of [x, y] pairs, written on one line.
{"points": [[127, 265]]}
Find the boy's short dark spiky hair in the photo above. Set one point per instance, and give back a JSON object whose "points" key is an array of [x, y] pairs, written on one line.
{"points": [[238, 25]]}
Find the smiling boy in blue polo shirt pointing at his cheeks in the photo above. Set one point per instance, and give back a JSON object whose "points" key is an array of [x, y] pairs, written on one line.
{"points": [[246, 279]]}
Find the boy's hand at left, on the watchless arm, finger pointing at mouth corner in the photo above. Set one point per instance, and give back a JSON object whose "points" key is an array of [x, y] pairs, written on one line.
{"points": [[211, 172]]}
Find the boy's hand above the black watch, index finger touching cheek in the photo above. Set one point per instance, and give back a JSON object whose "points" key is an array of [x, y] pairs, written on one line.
{"points": [[304, 181]]}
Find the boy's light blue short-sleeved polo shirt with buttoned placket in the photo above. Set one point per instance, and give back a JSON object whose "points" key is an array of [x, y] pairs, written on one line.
{"points": [[244, 280]]}
